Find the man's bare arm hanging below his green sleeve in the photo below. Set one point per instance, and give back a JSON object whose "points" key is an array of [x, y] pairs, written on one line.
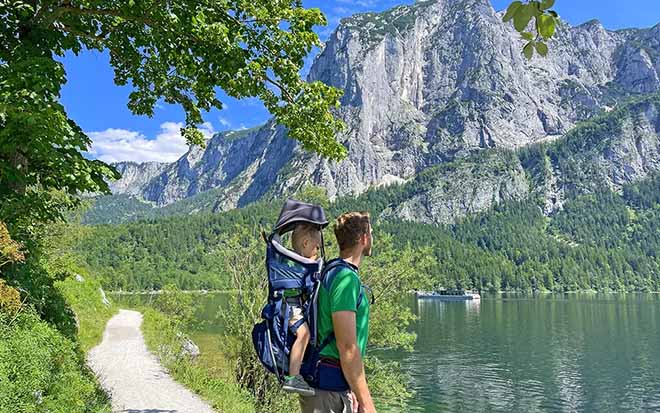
{"points": [[344, 325]]}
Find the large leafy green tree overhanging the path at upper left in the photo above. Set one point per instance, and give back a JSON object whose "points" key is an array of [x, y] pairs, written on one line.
{"points": [[177, 51]]}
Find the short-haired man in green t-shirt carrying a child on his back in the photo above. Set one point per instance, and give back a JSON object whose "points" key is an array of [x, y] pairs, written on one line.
{"points": [[344, 310]]}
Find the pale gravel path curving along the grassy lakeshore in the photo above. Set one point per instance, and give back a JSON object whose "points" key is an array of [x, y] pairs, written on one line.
{"points": [[133, 376]]}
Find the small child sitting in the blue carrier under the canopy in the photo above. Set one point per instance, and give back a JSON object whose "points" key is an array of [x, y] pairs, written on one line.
{"points": [[306, 241]]}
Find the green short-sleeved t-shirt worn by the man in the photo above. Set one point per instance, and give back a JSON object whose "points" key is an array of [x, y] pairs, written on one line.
{"points": [[343, 296]]}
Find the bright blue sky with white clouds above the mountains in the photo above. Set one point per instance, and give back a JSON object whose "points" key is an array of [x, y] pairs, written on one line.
{"points": [[91, 98]]}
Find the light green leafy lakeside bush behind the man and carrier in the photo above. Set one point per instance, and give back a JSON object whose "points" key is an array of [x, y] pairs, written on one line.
{"points": [[390, 273]]}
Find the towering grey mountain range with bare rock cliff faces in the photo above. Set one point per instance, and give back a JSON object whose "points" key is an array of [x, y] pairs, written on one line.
{"points": [[427, 85]]}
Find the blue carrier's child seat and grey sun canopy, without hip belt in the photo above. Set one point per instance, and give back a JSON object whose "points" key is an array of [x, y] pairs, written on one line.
{"points": [[273, 337]]}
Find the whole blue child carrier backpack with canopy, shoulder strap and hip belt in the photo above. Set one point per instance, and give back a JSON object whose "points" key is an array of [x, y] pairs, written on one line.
{"points": [[273, 337]]}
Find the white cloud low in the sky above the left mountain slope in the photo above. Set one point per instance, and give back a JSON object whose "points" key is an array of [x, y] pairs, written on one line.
{"points": [[115, 145]]}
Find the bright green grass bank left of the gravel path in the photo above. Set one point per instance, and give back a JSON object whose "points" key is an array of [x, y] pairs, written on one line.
{"points": [[42, 369]]}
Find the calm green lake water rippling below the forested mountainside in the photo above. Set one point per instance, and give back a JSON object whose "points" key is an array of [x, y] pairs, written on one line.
{"points": [[574, 352]]}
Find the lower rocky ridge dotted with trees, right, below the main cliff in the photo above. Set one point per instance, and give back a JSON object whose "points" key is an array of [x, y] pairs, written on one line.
{"points": [[608, 151]]}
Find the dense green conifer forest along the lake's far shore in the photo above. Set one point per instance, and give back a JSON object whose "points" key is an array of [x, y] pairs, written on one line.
{"points": [[598, 241]]}
